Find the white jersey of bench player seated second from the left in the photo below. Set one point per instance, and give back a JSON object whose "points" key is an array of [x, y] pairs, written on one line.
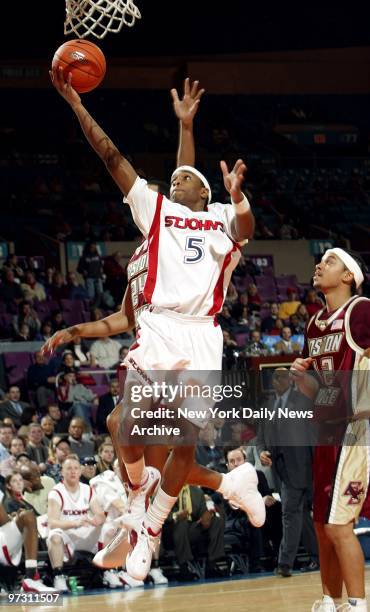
{"points": [[73, 505]]}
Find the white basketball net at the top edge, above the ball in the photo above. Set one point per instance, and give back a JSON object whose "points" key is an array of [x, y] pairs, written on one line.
{"points": [[98, 17]]}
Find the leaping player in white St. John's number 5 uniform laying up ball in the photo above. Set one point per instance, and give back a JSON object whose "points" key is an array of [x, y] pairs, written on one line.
{"points": [[192, 251]]}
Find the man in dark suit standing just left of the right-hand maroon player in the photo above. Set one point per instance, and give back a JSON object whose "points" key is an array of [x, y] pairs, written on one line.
{"points": [[293, 465]]}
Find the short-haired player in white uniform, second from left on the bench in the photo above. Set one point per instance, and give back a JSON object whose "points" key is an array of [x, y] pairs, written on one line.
{"points": [[74, 519]]}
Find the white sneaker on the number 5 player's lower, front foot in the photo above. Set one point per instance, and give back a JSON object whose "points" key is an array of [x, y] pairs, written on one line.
{"points": [[139, 560]]}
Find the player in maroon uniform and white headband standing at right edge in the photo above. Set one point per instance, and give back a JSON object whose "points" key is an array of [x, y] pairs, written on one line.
{"points": [[338, 340]]}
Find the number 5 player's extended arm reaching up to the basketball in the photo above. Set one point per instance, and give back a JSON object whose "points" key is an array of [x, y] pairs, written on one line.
{"points": [[118, 166]]}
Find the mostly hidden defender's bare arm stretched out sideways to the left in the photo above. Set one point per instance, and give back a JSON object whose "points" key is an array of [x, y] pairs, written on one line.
{"points": [[114, 324]]}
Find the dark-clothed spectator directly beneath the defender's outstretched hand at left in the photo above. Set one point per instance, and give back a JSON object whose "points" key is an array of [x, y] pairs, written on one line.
{"points": [[41, 380]]}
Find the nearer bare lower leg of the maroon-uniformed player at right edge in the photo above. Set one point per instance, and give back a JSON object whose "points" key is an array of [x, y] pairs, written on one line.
{"points": [[350, 556]]}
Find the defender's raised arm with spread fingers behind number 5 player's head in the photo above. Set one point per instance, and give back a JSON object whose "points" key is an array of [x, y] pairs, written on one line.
{"points": [[185, 110]]}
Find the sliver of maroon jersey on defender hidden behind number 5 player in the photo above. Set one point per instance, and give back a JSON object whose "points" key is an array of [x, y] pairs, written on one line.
{"points": [[137, 271]]}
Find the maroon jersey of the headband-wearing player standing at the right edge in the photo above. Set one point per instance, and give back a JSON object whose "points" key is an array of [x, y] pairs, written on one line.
{"points": [[336, 342]]}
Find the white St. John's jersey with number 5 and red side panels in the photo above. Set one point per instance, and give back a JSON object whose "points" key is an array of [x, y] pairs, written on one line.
{"points": [[191, 255]]}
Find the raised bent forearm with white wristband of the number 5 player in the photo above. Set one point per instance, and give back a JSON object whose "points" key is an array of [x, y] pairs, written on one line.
{"points": [[244, 218]]}
